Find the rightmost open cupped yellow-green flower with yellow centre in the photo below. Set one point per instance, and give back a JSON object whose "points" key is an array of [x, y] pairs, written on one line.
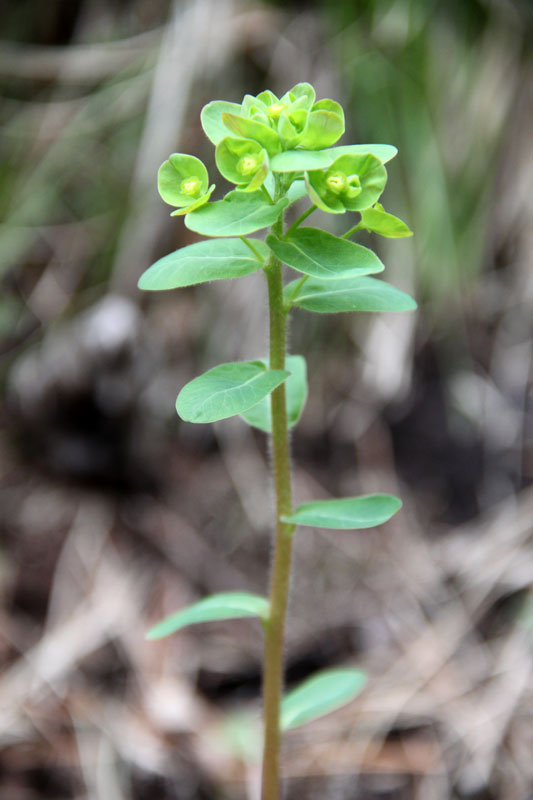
{"points": [[351, 183]]}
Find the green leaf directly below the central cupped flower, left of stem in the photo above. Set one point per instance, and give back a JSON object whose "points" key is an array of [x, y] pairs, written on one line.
{"points": [[237, 214]]}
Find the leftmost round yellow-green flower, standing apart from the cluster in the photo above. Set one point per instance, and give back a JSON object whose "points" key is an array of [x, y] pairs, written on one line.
{"points": [[183, 181]]}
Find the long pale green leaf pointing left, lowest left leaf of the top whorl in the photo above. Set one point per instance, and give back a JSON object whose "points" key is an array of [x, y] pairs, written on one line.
{"points": [[210, 260]]}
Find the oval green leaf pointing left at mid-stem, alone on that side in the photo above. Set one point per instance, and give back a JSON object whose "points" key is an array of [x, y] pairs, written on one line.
{"points": [[227, 390]]}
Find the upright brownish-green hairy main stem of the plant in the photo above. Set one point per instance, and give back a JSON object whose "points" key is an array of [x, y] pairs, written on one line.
{"points": [[281, 566]]}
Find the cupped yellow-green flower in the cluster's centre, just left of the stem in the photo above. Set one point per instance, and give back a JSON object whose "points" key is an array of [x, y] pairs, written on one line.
{"points": [[242, 161]]}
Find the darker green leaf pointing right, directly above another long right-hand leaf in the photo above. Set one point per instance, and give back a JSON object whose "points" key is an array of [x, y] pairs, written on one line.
{"points": [[323, 255]]}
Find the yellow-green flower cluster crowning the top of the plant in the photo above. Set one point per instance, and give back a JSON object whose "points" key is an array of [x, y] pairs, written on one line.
{"points": [[293, 137]]}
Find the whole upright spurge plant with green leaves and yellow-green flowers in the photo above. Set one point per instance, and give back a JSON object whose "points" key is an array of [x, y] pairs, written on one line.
{"points": [[278, 151]]}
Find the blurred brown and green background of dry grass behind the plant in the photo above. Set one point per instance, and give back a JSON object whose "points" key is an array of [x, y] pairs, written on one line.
{"points": [[113, 513]]}
